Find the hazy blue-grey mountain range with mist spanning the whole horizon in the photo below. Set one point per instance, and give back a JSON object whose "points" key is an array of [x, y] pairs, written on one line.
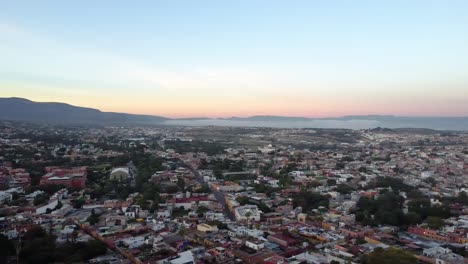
{"points": [[20, 109]]}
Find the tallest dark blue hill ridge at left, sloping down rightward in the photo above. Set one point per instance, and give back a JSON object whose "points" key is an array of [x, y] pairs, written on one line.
{"points": [[19, 109]]}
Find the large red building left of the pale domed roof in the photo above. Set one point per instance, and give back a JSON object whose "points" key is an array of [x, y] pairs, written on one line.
{"points": [[69, 177]]}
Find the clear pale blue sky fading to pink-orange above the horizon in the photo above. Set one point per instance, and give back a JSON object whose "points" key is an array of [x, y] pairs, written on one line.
{"points": [[202, 58]]}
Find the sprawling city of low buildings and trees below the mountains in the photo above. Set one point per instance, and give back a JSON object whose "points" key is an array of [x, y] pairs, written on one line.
{"points": [[232, 195]]}
